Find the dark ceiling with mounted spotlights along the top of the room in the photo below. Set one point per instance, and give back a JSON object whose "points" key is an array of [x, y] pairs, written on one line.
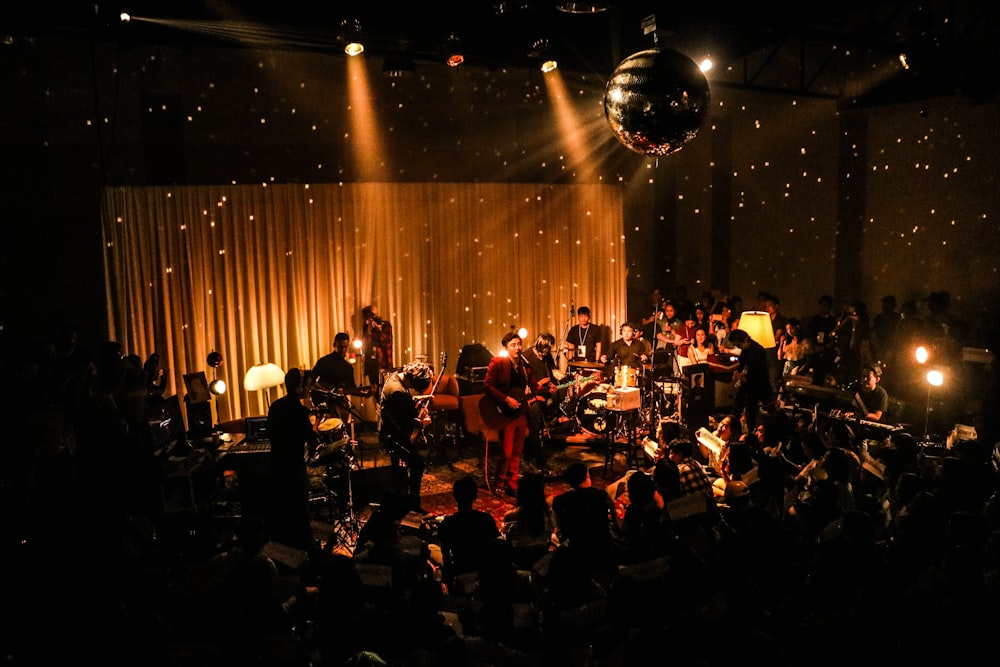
{"points": [[844, 50]]}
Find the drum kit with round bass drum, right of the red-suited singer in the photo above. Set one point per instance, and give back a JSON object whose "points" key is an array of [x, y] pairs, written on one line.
{"points": [[659, 391]]}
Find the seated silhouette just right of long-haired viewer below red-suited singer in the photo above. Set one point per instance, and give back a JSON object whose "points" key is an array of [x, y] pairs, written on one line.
{"points": [[586, 520]]}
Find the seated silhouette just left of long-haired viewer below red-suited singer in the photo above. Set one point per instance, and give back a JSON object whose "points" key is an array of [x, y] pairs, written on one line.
{"points": [[468, 534]]}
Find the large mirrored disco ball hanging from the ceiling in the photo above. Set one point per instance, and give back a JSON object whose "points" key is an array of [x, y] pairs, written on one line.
{"points": [[655, 101]]}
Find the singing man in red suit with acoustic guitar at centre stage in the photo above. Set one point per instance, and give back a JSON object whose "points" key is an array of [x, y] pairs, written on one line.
{"points": [[508, 385]]}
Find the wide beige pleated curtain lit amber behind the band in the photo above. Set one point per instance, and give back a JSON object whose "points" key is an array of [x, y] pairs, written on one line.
{"points": [[273, 272]]}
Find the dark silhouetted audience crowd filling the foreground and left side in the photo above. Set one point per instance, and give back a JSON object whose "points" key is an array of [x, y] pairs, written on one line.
{"points": [[904, 552]]}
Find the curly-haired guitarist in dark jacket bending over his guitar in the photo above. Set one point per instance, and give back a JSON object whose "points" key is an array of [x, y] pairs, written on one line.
{"points": [[400, 423]]}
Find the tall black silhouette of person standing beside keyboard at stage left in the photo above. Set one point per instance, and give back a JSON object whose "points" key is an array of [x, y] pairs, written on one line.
{"points": [[292, 438]]}
